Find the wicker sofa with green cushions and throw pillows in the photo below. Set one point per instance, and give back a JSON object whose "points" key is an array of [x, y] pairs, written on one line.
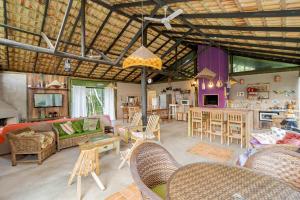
{"points": [[80, 134]]}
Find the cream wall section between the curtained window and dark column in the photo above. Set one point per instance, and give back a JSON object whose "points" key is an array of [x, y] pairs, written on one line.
{"points": [[124, 90]]}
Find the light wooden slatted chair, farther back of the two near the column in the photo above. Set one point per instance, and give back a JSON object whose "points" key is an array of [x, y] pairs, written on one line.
{"points": [[125, 131]]}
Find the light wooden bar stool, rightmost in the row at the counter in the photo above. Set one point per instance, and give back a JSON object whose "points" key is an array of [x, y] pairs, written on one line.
{"points": [[235, 128]]}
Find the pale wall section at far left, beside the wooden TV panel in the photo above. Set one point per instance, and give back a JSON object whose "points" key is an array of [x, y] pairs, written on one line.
{"points": [[14, 92]]}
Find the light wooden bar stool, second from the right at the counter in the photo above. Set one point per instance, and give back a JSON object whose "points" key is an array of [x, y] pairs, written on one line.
{"points": [[217, 125]]}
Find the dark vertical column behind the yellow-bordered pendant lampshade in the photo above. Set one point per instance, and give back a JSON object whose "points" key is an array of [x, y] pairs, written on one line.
{"points": [[144, 84]]}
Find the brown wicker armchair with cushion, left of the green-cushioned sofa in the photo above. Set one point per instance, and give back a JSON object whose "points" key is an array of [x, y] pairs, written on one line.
{"points": [[38, 139]]}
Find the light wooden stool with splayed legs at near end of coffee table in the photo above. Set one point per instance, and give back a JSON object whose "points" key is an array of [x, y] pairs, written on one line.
{"points": [[87, 163]]}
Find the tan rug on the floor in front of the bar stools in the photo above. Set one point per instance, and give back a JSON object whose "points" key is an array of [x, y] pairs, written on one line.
{"points": [[212, 152]]}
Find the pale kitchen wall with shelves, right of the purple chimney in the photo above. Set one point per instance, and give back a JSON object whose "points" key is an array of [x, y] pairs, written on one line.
{"points": [[289, 81]]}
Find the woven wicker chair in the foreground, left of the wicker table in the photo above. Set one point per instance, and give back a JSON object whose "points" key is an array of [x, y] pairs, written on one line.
{"points": [[151, 165]]}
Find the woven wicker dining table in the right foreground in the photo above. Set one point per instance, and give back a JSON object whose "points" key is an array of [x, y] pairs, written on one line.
{"points": [[203, 181]]}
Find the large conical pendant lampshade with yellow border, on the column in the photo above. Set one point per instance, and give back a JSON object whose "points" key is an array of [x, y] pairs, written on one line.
{"points": [[142, 57]]}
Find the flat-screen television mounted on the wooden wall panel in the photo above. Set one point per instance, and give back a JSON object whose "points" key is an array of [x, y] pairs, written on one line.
{"points": [[47, 100]]}
